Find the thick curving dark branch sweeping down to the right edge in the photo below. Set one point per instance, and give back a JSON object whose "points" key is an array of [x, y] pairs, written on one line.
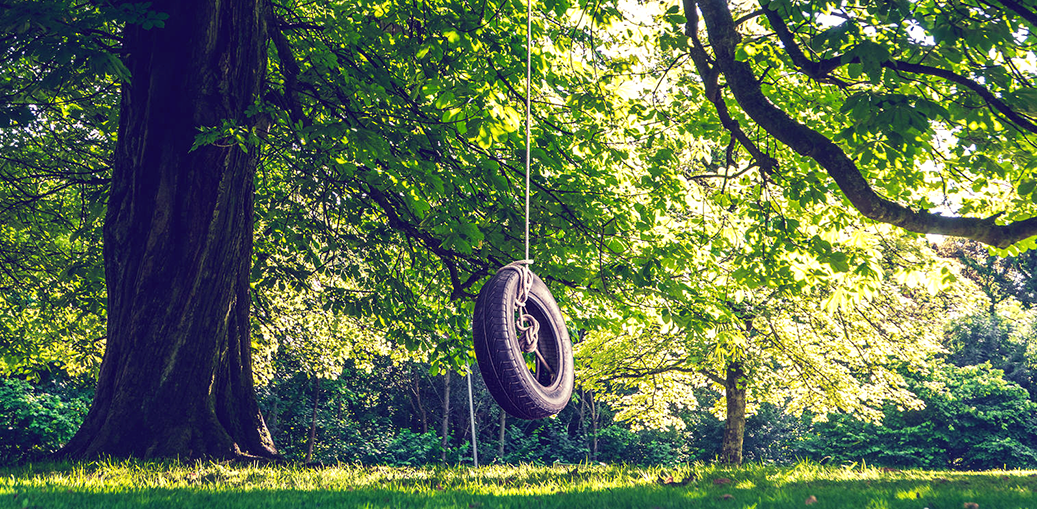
{"points": [[808, 143]]}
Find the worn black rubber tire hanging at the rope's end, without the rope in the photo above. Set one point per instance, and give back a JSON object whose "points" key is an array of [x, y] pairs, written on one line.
{"points": [[521, 392]]}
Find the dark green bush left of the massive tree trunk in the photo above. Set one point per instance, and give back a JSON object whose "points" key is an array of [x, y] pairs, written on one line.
{"points": [[35, 422]]}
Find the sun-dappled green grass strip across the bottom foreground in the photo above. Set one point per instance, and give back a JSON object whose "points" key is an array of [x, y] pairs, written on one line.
{"points": [[131, 485]]}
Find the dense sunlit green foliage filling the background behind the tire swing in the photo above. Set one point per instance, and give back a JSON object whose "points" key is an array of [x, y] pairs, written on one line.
{"points": [[697, 194]]}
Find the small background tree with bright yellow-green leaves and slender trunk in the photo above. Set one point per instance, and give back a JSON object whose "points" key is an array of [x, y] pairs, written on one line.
{"points": [[830, 349]]}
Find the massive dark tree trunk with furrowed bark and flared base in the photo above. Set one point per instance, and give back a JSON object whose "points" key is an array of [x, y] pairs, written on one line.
{"points": [[177, 377]]}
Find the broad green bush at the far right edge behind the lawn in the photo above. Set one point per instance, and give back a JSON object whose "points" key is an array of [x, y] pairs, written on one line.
{"points": [[973, 420]]}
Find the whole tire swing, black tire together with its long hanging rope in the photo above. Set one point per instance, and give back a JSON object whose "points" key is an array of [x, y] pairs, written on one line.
{"points": [[522, 344]]}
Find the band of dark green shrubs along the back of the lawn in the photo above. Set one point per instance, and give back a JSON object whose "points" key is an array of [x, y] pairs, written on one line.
{"points": [[977, 415]]}
